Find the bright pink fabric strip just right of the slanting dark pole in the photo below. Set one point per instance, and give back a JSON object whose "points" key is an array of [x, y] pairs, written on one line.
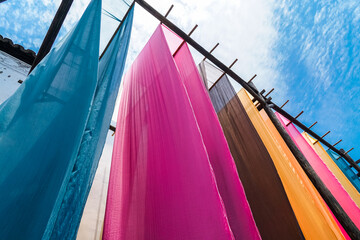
{"points": [[323, 172]]}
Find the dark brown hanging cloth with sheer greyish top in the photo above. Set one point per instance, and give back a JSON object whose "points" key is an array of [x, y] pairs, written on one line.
{"points": [[268, 201]]}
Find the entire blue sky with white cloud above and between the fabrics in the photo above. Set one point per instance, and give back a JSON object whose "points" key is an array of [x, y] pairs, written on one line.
{"points": [[307, 50]]}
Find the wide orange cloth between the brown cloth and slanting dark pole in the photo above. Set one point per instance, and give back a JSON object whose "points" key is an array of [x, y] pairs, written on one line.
{"points": [[312, 213]]}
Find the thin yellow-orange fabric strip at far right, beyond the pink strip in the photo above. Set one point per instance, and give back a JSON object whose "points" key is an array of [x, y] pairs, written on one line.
{"points": [[344, 181]]}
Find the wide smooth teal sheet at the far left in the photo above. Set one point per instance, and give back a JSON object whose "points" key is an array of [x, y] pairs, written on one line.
{"points": [[41, 127]]}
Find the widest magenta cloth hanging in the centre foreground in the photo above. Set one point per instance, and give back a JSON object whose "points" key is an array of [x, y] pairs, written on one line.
{"points": [[161, 183]]}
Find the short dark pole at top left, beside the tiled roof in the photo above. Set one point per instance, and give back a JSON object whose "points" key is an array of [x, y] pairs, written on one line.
{"points": [[52, 32]]}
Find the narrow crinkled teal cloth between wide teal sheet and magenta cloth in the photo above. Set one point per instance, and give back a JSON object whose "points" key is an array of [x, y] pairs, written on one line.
{"points": [[111, 68]]}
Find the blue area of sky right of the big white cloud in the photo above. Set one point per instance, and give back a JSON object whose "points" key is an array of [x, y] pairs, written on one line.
{"points": [[318, 49]]}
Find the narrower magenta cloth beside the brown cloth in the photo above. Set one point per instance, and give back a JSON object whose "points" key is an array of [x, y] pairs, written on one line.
{"points": [[229, 185]]}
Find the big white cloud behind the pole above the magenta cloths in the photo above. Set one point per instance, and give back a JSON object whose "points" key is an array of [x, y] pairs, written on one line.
{"points": [[244, 30]]}
